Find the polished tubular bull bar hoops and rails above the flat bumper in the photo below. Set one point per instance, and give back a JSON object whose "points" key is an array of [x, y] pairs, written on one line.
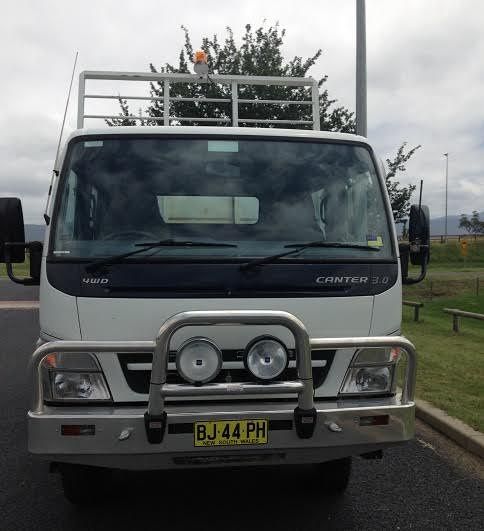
{"points": [[156, 418]]}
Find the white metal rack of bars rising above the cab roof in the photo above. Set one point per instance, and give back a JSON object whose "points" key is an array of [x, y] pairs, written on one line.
{"points": [[234, 82]]}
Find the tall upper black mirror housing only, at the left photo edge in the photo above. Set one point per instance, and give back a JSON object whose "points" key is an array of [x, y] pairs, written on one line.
{"points": [[11, 231]]}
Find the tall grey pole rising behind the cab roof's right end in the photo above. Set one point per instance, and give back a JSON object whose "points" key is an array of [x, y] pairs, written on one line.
{"points": [[361, 128]]}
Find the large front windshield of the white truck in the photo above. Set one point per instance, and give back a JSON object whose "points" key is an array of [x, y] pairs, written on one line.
{"points": [[258, 194]]}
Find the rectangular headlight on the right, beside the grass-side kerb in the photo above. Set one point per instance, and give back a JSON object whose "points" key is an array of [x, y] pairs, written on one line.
{"points": [[371, 371]]}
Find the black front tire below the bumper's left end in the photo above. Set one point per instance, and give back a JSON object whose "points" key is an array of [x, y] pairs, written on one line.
{"points": [[84, 485]]}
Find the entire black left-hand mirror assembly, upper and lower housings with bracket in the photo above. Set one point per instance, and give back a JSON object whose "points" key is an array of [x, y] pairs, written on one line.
{"points": [[12, 242]]}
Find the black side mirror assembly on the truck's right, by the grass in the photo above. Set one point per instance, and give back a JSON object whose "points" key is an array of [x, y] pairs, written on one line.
{"points": [[417, 250]]}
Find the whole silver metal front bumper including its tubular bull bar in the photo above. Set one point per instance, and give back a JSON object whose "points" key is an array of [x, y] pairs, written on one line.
{"points": [[162, 436]]}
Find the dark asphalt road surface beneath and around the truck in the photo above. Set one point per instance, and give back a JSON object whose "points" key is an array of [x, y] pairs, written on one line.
{"points": [[426, 484]]}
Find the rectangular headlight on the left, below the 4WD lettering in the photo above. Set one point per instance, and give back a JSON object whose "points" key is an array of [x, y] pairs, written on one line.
{"points": [[75, 376]]}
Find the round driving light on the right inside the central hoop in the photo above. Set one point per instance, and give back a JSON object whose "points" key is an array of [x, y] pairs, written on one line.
{"points": [[266, 358]]}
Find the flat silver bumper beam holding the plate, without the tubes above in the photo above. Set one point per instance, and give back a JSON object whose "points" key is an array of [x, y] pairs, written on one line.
{"points": [[109, 446]]}
